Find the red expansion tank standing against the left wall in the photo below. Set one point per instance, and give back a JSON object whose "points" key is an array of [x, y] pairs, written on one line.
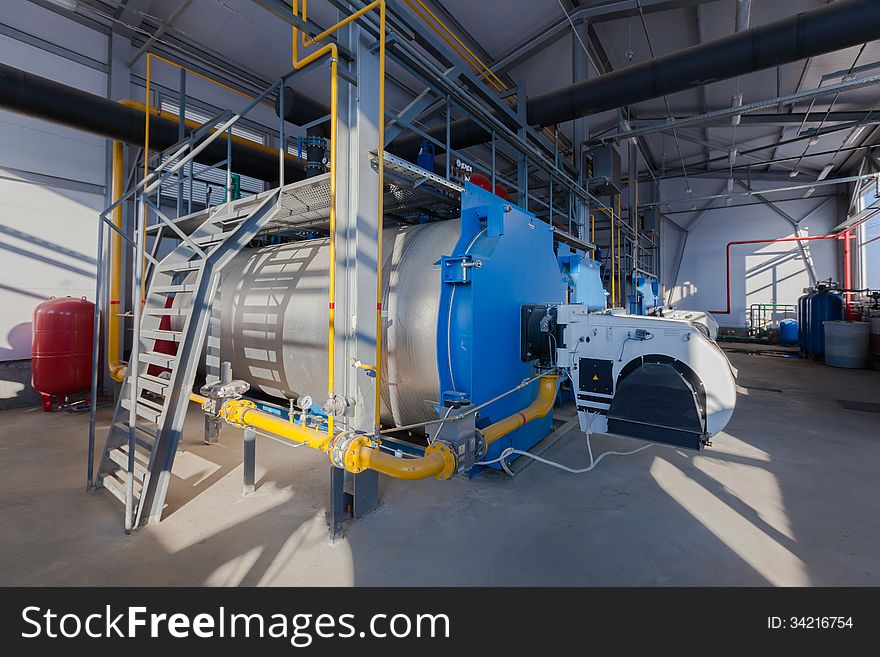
{"points": [[62, 348]]}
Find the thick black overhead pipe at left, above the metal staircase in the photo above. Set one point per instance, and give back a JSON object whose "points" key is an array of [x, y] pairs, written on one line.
{"points": [[38, 97]]}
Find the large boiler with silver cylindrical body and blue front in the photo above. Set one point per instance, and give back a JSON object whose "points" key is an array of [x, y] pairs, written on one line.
{"points": [[453, 294]]}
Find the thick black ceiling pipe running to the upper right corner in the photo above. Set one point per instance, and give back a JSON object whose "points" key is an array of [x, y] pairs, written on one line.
{"points": [[808, 34]]}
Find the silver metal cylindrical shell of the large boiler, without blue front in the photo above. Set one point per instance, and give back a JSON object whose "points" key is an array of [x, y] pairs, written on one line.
{"points": [[274, 318]]}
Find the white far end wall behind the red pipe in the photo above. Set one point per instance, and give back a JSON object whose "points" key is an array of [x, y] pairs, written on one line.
{"points": [[759, 273]]}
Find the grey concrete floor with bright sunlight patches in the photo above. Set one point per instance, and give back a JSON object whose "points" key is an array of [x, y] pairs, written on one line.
{"points": [[788, 495]]}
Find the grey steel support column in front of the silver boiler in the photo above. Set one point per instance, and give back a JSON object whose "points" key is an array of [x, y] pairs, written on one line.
{"points": [[357, 239]]}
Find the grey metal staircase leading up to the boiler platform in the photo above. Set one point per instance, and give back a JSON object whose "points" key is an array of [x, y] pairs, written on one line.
{"points": [[150, 412]]}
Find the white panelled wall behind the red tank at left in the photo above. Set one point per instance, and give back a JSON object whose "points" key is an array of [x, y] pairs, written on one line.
{"points": [[51, 181]]}
